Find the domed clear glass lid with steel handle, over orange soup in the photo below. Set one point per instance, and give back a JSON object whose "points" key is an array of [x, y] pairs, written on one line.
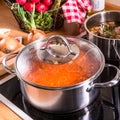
{"points": [[70, 60]]}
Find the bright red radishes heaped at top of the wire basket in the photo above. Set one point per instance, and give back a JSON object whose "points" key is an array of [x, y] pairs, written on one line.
{"points": [[40, 5]]}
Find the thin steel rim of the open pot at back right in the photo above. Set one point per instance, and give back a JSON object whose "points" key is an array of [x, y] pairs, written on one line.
{"points": [[103, 12]]}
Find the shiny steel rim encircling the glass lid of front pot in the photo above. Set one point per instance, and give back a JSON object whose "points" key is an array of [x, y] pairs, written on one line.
{"points": [[89, 80]]}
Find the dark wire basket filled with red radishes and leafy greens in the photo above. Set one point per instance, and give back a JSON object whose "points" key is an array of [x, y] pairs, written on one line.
{"points": [[29, 13]]}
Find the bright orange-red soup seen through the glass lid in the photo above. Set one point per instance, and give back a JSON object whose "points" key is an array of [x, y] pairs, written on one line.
{"points": [[58, 75]]}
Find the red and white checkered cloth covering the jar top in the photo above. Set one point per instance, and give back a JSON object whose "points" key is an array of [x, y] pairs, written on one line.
{"points": [[75, 10]]}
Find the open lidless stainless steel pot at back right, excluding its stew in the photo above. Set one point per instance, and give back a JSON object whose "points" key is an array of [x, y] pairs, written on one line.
{"points": [[109, 46]]}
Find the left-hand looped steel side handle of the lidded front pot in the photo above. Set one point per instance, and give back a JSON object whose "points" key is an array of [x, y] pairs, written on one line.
{"points": [[4, 62]]}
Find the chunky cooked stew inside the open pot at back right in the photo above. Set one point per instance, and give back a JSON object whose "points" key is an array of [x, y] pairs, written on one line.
{"points": [[107, 29]]}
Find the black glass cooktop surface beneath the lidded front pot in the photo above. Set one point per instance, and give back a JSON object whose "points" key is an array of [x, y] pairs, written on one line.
{"points": [[105, 107]]}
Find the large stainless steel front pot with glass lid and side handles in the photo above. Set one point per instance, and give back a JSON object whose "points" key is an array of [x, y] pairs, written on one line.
{"points": [[60, 99]]}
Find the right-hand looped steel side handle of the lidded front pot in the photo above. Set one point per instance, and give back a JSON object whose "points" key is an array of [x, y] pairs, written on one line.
{"points": [[111, 83]]}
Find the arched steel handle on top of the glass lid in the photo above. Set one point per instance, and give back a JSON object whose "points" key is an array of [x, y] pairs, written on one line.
{"points": [[64, 40]]}
